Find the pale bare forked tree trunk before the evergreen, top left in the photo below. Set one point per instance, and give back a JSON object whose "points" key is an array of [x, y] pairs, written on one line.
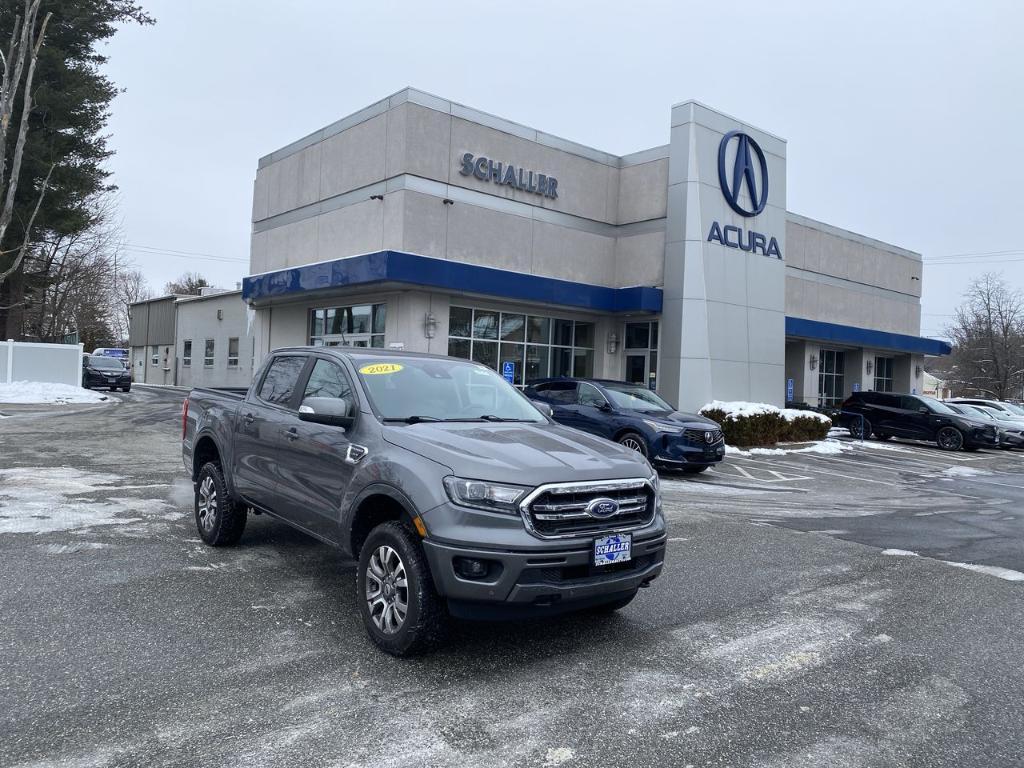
{"points": [[23, 54]]}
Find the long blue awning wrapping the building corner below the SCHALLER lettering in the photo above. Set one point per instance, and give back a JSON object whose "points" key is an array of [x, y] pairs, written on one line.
{"points": [[397, 267]]}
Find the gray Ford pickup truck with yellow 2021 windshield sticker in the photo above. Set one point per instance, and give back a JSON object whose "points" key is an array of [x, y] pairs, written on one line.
{"points": [[455, 493]]}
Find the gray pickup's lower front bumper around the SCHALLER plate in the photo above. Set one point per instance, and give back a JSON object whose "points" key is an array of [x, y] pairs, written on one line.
{"points": [[532, 583]]}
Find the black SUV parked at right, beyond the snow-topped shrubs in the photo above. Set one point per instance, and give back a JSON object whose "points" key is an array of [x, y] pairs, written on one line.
{"points": [[887, 415]]}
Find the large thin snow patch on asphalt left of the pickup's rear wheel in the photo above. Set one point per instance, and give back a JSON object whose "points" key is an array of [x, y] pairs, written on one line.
{"points": [[42, 500]]}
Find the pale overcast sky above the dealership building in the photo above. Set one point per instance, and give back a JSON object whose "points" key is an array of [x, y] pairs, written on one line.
{"points": [[904, 120]]}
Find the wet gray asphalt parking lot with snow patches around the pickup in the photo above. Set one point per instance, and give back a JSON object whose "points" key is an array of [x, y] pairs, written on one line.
{"points": [[780, 634]]}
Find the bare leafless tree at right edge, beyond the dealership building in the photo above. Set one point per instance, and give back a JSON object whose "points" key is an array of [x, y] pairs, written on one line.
{"points": [[988, 335]]}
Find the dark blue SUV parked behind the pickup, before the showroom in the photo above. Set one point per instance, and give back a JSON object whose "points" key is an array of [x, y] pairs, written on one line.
{"points": [[635, 417]]}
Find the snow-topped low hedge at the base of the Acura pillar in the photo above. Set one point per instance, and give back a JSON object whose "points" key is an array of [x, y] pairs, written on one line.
{"points": [[752, 424]]}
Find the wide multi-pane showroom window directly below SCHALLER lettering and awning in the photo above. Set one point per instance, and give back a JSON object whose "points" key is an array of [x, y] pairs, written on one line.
{"points": [[536, 347]]}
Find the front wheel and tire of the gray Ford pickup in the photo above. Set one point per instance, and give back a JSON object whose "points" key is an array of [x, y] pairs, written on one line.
{"points": [[402, 611]]}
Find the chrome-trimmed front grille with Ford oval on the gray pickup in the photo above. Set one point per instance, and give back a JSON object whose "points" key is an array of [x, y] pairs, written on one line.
{"points": [[567, 509]]}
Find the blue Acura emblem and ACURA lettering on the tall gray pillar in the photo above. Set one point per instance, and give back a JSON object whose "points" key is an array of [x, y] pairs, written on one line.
{"points": [[744, 172]]}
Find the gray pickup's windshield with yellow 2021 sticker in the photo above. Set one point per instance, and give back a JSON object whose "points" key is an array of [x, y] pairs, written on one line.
{"points": [[425, 390]]}
